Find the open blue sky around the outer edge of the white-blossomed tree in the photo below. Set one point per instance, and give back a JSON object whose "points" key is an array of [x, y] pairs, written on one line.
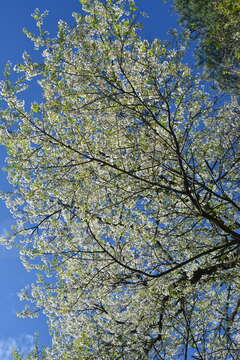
{"points": [[14, 16]]}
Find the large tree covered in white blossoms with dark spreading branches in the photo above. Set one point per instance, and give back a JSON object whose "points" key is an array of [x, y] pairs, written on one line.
{"points": [[126, 179]]}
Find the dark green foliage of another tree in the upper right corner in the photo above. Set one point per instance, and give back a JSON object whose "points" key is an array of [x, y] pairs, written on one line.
{"points": [[216, 23]]}
